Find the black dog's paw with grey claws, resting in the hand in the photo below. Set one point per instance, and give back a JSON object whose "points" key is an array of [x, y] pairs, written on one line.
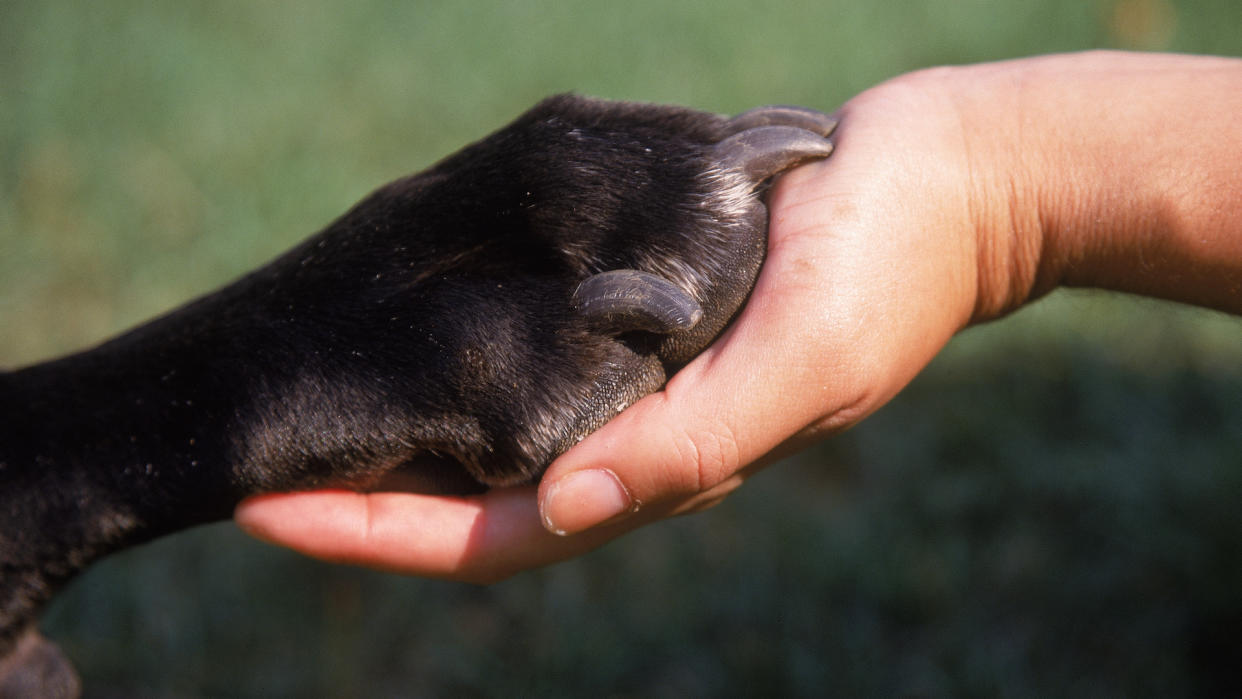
{"points": [[519, 295]]}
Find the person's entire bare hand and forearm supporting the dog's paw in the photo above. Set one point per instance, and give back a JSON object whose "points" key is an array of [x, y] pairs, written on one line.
{"points": [[954, 197]]}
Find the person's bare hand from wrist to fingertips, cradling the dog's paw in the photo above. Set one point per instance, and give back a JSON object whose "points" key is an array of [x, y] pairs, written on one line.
{"points": [[851, 304]]}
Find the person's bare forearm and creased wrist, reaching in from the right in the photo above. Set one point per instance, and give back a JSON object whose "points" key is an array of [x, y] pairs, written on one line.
{"points": [[1123, 172]]}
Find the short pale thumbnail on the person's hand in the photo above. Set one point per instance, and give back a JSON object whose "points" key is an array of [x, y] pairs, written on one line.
{"points": [[584, 500]]}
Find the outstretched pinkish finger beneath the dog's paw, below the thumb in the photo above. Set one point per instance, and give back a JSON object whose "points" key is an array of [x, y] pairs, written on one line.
{"points": [[478, 539]]}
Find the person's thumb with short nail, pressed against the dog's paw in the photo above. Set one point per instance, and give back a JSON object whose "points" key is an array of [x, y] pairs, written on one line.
{"points": [[691, 444]]}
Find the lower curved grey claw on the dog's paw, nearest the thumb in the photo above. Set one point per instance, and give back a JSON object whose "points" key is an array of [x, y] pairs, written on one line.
{"points": [[628, 300]]}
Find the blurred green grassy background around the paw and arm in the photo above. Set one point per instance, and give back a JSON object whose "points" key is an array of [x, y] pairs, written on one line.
{"points": [[1050, 511]]}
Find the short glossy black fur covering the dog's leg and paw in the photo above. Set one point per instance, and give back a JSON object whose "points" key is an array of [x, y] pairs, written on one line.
{"points": [[434, 317]]}
